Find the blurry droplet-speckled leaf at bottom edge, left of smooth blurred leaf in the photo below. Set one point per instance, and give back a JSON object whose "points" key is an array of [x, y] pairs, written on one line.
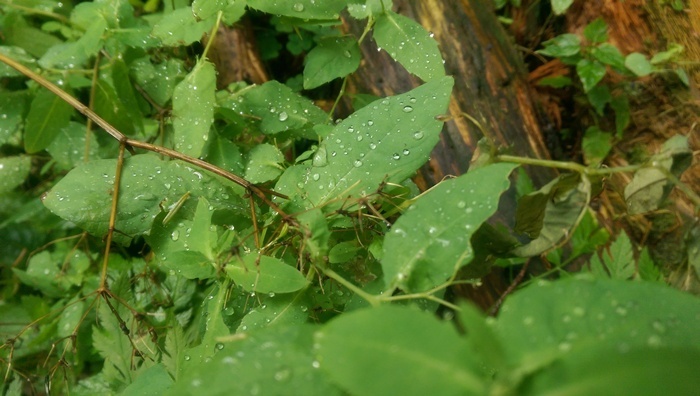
{"points": [[273, 361]]}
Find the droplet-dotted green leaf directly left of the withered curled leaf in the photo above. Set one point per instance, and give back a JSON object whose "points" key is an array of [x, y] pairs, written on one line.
{"points": [[429, 242]]}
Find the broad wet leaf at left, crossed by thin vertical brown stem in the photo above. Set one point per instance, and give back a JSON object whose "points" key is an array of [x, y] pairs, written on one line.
{"points": [[83, 196]]}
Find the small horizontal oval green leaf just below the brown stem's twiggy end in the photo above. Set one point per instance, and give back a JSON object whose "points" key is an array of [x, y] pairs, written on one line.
{"points": [[265, 274]]}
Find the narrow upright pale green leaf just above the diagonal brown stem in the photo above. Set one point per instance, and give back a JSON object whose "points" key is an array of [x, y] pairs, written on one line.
{"points": [[193, 109]]}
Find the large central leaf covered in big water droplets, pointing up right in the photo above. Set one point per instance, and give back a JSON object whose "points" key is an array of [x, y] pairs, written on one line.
{"points": [[383, 142]]}
